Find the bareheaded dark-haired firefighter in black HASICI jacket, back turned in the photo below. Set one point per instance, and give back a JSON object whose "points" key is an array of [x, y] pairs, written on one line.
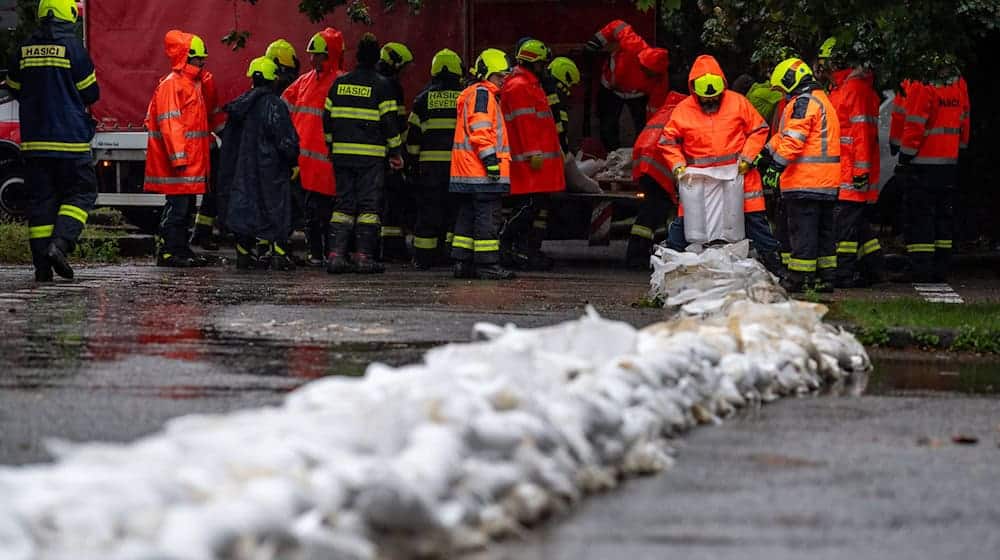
{"points": [[360, 123]]}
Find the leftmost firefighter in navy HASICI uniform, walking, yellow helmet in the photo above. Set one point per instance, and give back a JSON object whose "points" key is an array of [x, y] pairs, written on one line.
{"points": [[52, 77]]}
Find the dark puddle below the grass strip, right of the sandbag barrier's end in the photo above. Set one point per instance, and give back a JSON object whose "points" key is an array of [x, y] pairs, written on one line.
{"points": [[905, 373]]}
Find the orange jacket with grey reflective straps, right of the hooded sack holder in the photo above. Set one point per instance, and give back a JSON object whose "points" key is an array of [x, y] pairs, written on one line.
{"points": [[807, 143]]}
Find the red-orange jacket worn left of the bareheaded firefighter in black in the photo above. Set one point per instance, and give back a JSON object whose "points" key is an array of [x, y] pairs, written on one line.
{"points": [[306, 97]]}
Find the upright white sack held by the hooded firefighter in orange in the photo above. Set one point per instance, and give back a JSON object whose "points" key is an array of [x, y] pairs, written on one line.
{"points": [[713, 204]]}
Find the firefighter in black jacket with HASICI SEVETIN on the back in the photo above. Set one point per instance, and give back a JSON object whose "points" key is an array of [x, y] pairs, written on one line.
{"points": [[428, 143]]}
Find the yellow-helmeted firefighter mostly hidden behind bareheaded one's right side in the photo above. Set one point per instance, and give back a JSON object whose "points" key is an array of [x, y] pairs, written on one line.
{"points": [[393, 59]]}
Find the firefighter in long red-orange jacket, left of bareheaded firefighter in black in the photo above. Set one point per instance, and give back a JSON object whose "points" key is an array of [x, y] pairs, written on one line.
{"points": [[305, 98]]}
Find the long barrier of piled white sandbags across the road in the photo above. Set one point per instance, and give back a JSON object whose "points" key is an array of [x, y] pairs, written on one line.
{"points": [[477, 442]]}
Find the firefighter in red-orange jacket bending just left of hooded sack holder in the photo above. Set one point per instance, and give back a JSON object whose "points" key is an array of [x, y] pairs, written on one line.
{"points": [[656, 183]]}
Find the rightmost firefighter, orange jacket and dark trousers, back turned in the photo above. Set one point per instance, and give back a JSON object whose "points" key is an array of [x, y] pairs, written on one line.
{"points": [[936, 128]]}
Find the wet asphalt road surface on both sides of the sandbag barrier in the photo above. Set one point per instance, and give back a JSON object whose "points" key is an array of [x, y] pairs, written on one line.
{"points": [[114, 354]]}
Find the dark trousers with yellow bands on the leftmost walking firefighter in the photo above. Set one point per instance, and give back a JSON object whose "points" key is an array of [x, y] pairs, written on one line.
{"points": [[62, 193]]}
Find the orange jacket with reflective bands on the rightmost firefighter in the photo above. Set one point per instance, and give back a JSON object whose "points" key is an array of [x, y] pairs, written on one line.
{"points": [[936, 124]]}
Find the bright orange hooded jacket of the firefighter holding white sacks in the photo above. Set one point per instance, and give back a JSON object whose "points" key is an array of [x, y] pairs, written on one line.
{"points": [[735, 133]]}
